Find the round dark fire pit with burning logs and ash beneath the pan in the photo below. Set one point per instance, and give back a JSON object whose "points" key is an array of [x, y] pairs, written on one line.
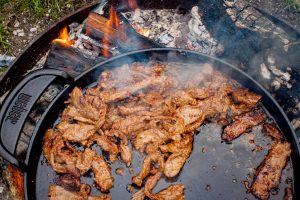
{"points": [[253, 40]]}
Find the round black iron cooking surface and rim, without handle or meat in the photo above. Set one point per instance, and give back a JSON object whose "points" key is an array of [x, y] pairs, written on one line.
{"points": [[215, 170]]}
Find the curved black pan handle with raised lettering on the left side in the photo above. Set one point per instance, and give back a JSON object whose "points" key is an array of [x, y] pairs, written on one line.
{"points": [[17, 107]]}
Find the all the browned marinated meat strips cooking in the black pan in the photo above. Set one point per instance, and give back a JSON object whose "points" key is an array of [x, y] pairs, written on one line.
{"points": [[156, 110]]}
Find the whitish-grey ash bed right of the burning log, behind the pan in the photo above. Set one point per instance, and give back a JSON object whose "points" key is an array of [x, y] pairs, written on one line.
{"points": [[172, 29]]}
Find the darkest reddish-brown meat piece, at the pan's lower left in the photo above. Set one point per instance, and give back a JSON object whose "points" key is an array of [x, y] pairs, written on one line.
{"points": [[69, 182]]}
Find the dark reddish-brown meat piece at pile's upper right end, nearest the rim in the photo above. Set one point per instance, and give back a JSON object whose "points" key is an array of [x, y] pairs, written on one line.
{"points": [[244, 96]]}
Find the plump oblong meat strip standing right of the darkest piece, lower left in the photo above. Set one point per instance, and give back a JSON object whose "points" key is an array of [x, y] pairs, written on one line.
{"points": [[102, 172]]}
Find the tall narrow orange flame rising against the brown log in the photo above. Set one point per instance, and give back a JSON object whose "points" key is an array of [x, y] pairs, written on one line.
{"points": [[113, 22]]}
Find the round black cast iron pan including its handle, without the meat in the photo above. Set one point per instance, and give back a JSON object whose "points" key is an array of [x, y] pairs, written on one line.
{"points": [[215, 170]]}
